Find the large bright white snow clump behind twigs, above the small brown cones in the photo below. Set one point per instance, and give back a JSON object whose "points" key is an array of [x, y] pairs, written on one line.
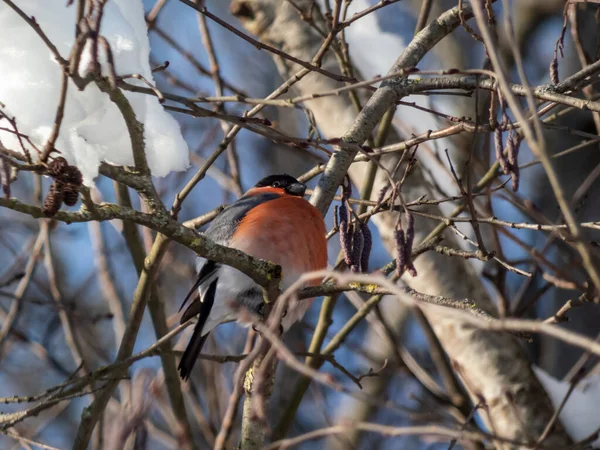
{"points": [[93, 129]]}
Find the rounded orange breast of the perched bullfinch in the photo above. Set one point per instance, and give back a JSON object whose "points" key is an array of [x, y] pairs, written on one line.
{"points": [[288, 231]]}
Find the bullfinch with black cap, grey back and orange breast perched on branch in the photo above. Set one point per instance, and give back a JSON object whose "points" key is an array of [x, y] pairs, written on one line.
{"points": [[271, 221]]}
